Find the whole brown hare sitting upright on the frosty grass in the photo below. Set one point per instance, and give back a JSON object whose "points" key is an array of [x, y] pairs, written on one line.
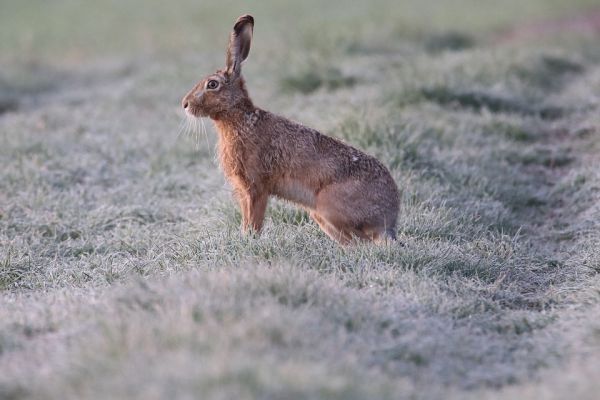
{"points": [[350, 194]]}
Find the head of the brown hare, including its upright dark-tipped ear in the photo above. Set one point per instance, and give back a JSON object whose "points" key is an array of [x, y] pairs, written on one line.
{"points": [[224, 90]]}
